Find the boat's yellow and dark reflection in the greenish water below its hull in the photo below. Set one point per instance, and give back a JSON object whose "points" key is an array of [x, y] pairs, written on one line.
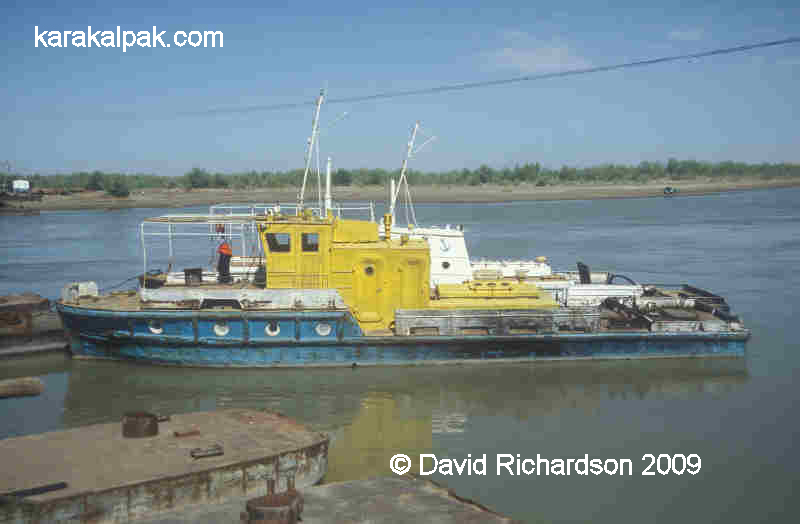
{"points": [[372, 413]]}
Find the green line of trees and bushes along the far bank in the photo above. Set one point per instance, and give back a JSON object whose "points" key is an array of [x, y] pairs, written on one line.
{"points": [[120, 185]]}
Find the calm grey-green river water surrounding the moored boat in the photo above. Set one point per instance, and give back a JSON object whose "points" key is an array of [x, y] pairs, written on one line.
{"points": [[739, 416]]}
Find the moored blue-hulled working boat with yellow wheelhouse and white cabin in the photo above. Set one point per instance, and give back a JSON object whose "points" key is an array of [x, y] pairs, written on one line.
{"points": [[315, 288]]}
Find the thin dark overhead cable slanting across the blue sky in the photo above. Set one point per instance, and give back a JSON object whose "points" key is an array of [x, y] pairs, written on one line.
{"points": [[504, 81]]}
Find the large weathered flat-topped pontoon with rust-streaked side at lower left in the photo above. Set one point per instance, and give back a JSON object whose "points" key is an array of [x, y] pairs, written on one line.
{"points": [[110, 478]]}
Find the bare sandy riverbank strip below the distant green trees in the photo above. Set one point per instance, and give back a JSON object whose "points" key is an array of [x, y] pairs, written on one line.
{"points": [[172, 198]]}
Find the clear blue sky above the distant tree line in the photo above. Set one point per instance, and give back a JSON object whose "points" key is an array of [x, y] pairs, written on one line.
{"points": [[166, 110]]}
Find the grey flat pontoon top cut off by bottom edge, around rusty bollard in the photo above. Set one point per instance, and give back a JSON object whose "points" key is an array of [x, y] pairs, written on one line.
{"points": [[387, 500]]}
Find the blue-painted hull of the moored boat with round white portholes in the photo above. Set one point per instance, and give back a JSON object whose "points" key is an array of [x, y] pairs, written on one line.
{"points": [[276, 339]]}
